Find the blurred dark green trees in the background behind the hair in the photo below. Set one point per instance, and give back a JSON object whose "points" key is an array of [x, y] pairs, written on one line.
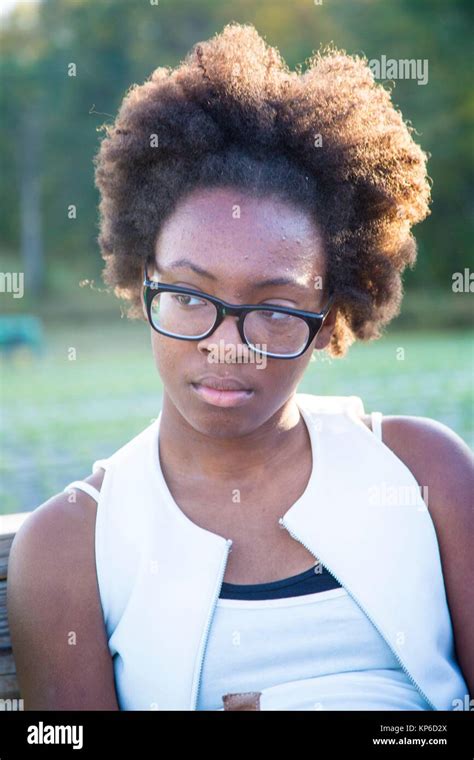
{"points": [[66, 64]]}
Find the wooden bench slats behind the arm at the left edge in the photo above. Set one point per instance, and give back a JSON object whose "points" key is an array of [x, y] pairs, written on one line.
{"points": [[9, 524]]}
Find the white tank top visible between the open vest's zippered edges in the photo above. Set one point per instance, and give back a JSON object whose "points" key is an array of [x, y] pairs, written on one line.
{"points": [[312, 652]]}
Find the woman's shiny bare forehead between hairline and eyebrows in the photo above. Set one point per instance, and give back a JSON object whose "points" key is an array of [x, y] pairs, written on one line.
{"points": [[230, 232]]}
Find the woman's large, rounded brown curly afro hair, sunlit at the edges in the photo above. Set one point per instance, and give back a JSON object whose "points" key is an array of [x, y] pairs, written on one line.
{"points": [[232, 114]]}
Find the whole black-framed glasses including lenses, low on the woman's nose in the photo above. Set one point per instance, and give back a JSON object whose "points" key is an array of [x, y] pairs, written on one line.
{"points": [[270, 330]]}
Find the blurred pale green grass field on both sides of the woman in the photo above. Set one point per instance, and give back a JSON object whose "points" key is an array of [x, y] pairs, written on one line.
{"points": [[59, 415]]}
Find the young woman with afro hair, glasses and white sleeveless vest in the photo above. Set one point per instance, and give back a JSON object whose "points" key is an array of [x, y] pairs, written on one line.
{"points": [[254, 547]]}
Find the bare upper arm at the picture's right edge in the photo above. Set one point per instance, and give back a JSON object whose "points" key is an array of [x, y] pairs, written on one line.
{"points": [[443, 465]]}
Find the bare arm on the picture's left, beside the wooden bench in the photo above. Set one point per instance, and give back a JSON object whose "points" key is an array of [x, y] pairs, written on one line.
{"points": [[55, 617]]}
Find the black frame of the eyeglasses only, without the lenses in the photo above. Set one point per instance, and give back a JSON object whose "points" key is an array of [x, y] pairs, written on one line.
{"points": [[314, 320]]}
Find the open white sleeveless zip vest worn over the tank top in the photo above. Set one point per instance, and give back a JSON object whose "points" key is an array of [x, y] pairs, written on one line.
{"points": [[159, 573]]}
